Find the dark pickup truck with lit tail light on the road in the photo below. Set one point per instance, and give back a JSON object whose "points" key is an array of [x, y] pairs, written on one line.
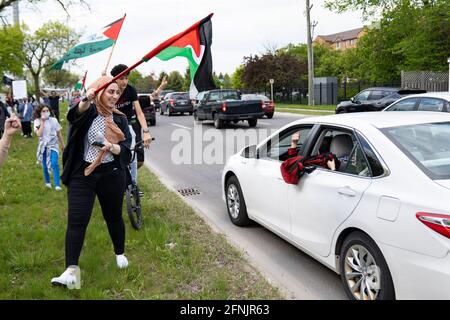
{"points": [[226, 106]]}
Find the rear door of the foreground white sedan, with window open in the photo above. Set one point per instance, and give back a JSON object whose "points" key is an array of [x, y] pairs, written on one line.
{"points": [[324, 199]]}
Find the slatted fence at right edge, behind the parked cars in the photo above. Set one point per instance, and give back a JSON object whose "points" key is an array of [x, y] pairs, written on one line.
{"points": [[425, 80]]}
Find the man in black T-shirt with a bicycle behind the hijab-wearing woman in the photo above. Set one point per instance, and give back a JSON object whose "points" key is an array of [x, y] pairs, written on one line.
{"points": [[128, 104]]}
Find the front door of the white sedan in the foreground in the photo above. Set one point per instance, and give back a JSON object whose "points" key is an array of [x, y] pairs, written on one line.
{"points": [[267, 200]]}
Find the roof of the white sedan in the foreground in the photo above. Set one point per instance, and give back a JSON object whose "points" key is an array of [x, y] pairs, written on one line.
{"points": [[361, 120]]}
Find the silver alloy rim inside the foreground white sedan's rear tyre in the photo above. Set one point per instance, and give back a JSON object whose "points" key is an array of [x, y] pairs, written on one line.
{"points": [[362, 273]]}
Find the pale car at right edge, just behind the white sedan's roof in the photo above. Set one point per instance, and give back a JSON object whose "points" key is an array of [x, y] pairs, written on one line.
{"points": [[432, 101]]}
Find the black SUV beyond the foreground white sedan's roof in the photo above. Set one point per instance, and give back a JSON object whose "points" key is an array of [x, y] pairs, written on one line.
{"points": [[374, 99]]}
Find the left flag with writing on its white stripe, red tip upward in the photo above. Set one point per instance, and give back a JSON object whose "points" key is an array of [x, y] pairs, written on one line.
{"points": [[95, 43]]}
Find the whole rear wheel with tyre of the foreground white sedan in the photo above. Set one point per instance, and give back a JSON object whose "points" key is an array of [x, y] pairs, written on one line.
{"points": [[364, 271]]}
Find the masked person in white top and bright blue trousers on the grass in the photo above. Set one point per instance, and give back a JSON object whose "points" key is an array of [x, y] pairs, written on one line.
{"points": [[48, 129]]}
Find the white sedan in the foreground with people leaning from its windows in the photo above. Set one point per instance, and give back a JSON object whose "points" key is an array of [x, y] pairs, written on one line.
{"points": [[381, 221]]}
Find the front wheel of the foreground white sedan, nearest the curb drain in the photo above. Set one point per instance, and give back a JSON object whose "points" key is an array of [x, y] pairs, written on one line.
{"points": [[236, 207]]}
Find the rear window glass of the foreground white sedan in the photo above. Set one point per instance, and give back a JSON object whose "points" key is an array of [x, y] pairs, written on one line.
{"points": [[427, 145]]}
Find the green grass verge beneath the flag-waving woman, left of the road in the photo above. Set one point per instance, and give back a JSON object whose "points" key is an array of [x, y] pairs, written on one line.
{"points": [[202, 265]]}
